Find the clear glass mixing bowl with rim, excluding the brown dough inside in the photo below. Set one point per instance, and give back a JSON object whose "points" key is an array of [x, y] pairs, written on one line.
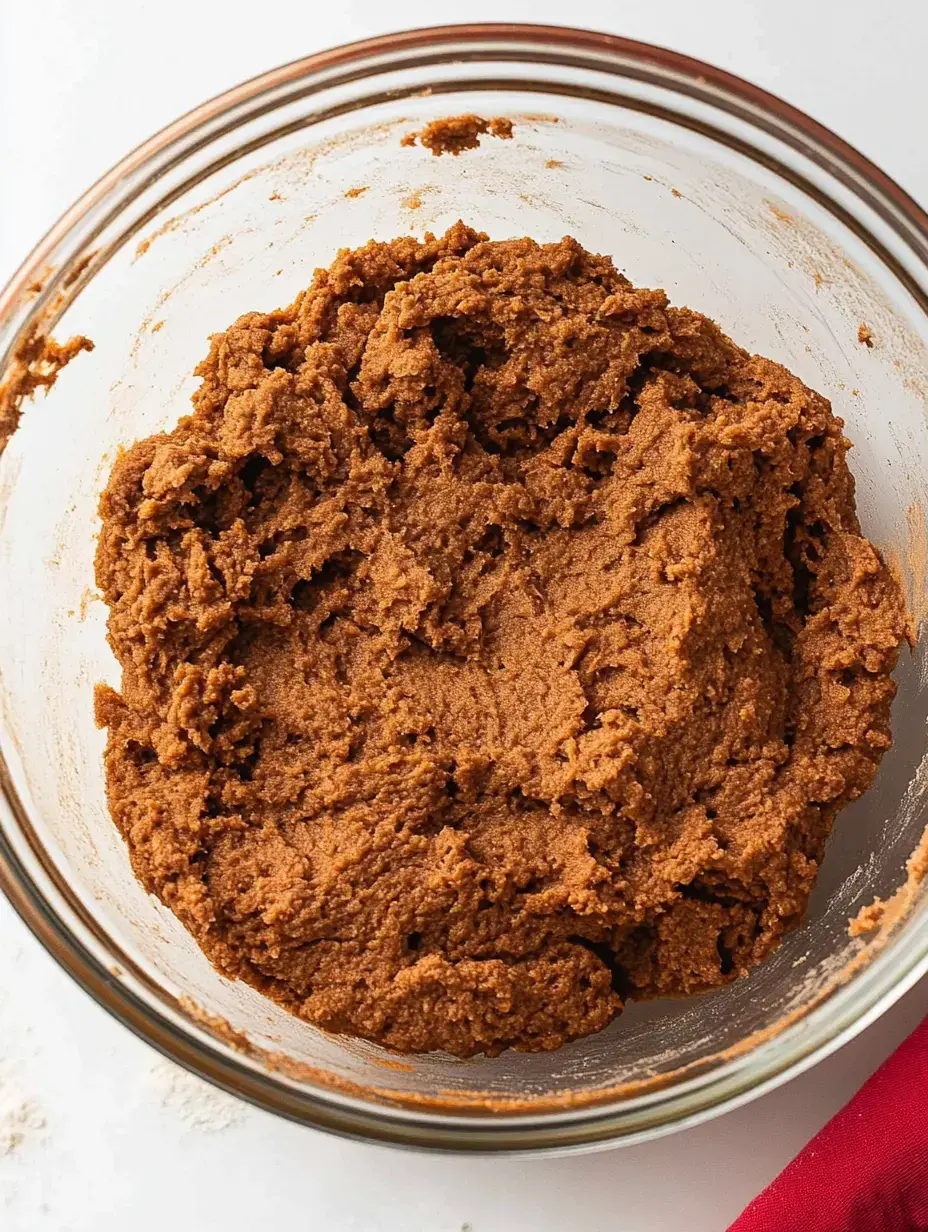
{"points": [[694, 182]]}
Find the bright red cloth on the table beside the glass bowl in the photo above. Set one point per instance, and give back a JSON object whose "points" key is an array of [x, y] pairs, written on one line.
{"points": [[868, 1170]]}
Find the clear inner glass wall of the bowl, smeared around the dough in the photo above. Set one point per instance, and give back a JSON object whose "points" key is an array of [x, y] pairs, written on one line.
{"points": [[677, 209]]}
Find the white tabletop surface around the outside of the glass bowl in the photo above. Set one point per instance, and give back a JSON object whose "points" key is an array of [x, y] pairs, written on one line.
{"points": [[97, 1133]]}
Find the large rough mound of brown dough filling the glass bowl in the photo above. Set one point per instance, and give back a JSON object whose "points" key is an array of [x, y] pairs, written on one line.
{"points": [[499, 645]]}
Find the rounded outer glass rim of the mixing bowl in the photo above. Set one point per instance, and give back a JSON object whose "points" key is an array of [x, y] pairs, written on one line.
{"points": [[70, 939]]}
